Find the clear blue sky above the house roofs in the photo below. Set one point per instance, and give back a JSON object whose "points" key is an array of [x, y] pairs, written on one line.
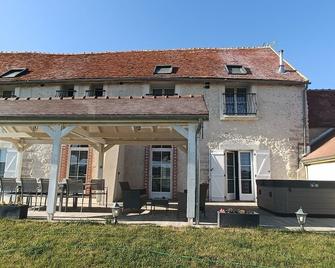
{"points": [[304, 29]]}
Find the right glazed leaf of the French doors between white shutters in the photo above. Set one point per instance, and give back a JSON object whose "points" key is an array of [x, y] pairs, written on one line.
{"points": [[246, 185]]}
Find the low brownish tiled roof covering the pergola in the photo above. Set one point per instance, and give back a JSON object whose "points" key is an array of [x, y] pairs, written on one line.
{"points": [[104, 108]]}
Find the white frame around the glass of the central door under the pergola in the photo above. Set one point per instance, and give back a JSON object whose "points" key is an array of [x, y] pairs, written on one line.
{"points": [[167, 195]]}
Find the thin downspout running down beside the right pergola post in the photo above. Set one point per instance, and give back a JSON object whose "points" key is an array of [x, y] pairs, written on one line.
{"points": [[197, 174]]}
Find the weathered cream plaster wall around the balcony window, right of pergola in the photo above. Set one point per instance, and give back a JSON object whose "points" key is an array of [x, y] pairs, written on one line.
{"points": [[278, 126]]}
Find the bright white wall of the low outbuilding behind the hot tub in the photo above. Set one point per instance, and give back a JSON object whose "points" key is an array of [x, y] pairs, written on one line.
{"points": [[324, 171]]}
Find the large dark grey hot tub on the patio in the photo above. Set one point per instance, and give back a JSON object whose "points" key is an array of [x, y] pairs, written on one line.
{"points": [[286, 196]]}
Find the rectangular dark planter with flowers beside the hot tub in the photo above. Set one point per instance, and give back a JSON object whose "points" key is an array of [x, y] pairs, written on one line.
{"points": [[237, 218]]}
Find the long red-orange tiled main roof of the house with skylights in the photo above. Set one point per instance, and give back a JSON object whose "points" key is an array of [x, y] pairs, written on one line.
{"points": [[263, 63]]}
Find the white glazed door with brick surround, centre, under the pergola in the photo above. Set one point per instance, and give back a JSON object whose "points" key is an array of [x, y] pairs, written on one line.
{"points": [[161, 172]]}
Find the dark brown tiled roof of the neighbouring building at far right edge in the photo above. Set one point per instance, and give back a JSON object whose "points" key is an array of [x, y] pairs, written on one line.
{"points": [[321, 108]]}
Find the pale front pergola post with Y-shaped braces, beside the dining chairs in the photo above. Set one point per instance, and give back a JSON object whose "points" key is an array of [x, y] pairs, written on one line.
{"points": [[56, 133]]}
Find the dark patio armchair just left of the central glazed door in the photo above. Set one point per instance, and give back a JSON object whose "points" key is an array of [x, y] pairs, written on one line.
{"points": [[132, 198]]}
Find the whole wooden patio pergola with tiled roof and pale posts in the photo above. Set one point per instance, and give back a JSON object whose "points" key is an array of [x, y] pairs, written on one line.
{"points": [[103, 123]]}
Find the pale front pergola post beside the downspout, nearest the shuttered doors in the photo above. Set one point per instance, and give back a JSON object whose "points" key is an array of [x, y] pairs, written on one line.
{"points": [[191, 172]]}
